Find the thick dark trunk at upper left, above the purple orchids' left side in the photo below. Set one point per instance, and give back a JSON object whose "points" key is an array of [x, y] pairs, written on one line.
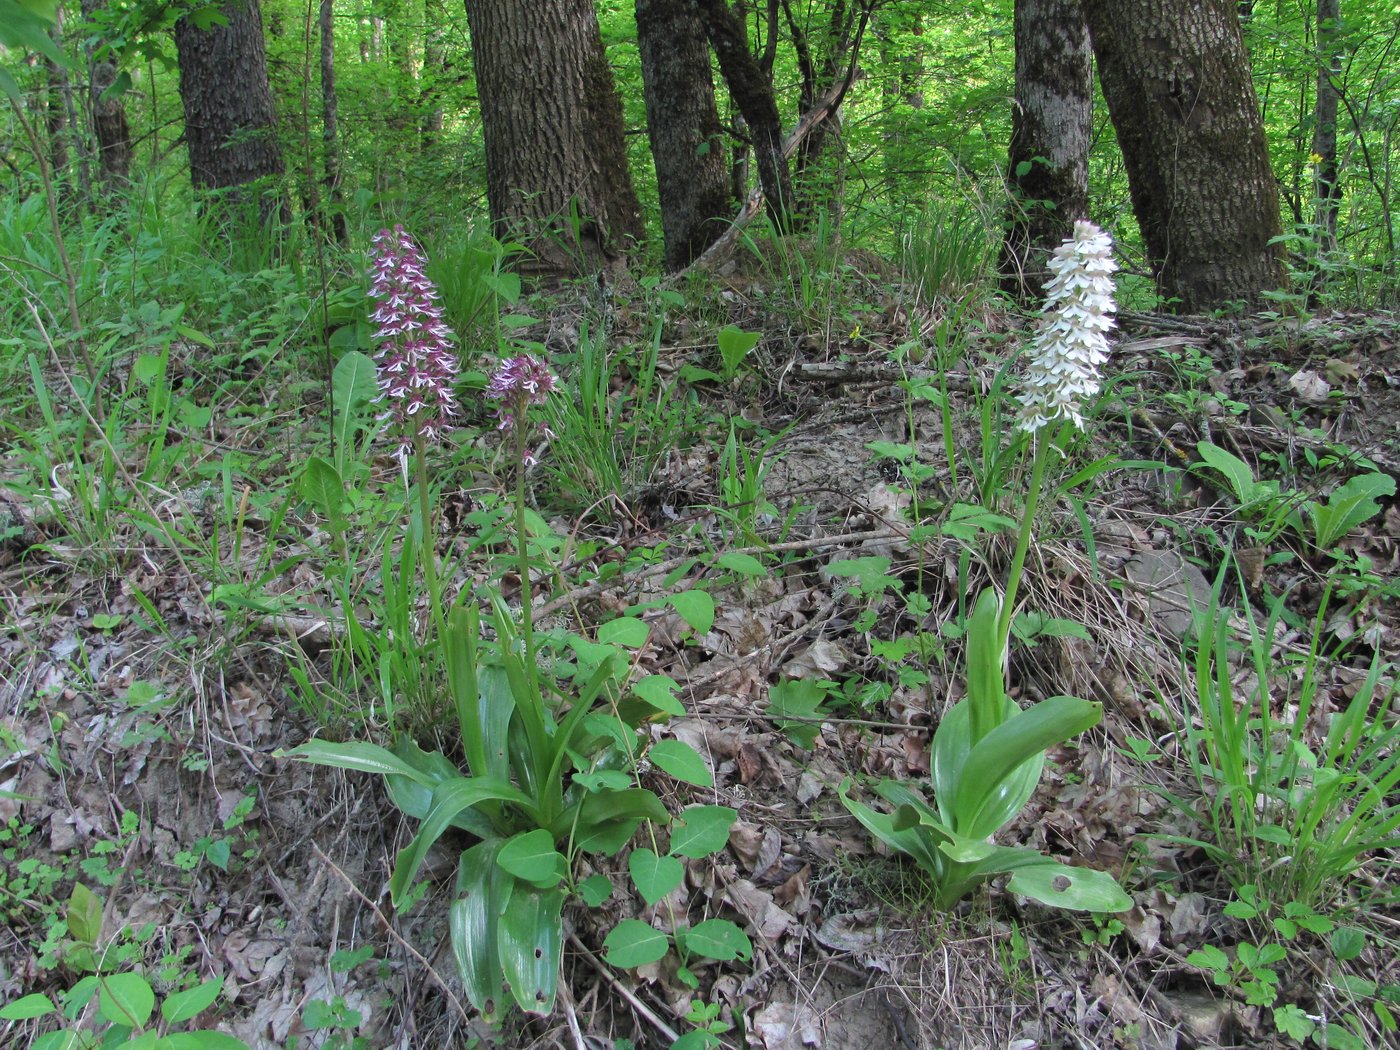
{"points": [[230, 125]]}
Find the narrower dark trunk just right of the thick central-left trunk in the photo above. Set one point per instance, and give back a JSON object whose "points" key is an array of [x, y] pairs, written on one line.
{"points": [[684, 128]]}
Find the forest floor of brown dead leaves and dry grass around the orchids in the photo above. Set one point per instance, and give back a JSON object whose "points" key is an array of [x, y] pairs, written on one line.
{"points": [[141, 717]]}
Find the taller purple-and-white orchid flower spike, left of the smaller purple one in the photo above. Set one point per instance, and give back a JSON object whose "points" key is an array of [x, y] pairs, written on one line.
{"points": [[418, 362]]}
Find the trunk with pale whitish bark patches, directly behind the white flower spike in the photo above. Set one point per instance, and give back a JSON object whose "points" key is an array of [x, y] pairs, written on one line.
{"points": [[1048, 169]]}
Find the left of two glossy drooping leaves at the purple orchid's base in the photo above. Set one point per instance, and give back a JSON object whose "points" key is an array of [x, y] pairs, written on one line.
{"points": [[484, 890]]}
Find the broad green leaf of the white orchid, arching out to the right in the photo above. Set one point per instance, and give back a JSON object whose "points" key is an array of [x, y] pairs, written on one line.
{"points": [[992, 779]]}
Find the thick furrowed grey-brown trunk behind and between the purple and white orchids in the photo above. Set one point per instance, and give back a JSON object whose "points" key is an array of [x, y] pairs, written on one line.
{"points": [[554, 134]]}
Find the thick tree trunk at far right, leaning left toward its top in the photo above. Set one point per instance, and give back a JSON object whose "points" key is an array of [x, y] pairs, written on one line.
{"points": [[1178, 83]]}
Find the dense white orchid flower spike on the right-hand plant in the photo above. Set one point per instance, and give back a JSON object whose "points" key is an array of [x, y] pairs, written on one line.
{"points": [[1072, 345]]}
